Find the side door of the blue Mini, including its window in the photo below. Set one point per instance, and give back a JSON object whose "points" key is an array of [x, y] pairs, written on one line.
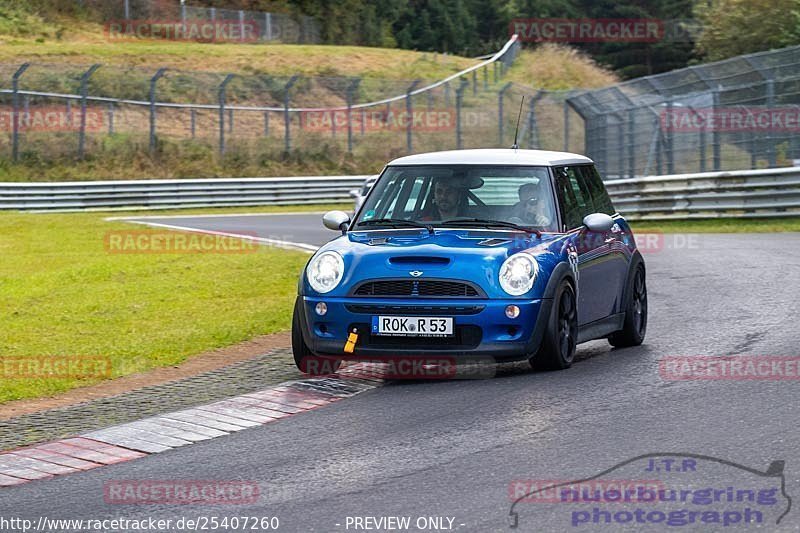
{"points": [[596, 295]]}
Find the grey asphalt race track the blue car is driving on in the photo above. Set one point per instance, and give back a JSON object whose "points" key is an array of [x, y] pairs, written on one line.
{"points": [[454, 448]]}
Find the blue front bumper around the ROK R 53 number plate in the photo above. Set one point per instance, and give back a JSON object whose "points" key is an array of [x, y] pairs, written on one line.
{"points": [[481, 327]]}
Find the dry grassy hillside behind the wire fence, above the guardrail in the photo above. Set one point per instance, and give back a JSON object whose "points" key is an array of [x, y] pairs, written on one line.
{"points": [[60, 49]]}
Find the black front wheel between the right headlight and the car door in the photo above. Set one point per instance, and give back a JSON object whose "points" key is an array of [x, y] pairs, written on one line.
{"points": [[557, 350]]}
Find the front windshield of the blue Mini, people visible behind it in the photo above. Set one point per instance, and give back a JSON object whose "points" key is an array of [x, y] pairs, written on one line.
{"points": [[460, 196]]}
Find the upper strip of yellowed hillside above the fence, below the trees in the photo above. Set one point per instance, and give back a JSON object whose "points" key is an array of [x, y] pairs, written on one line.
{"points": [[91, 46]]}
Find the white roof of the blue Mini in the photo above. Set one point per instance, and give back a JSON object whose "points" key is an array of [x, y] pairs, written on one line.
{"points": [[493, 156]]}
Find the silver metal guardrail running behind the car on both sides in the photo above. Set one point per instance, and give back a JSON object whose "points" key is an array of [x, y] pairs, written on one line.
{"points": [[746, 193]]}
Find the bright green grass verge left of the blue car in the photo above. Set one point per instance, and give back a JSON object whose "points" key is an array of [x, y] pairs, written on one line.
{"points": [[65, 295]]}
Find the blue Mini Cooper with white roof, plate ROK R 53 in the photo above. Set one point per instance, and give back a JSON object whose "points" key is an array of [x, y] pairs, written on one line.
{"points": [[502, 254]]}
